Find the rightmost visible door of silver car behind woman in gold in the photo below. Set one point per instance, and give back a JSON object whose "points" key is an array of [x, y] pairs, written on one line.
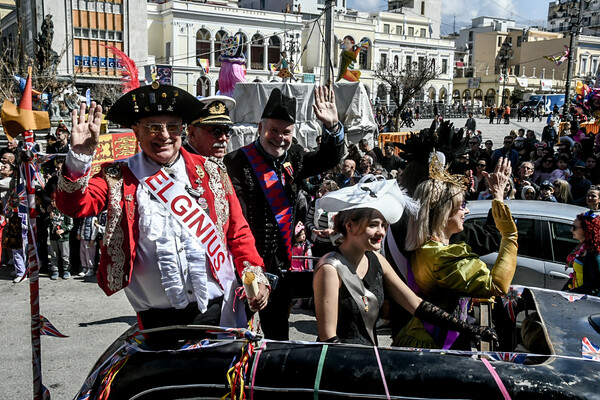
{"points": [[558, 235]]}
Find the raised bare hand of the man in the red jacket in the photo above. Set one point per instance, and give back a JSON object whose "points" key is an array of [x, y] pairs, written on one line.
{"points": [[84, 134]]}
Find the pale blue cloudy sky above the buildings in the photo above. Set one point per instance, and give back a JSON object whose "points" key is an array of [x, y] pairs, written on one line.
{"points": [[460, 12]]}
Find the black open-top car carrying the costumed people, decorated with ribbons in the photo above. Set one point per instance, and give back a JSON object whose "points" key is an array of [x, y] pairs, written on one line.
{"points": [[547, 350]]}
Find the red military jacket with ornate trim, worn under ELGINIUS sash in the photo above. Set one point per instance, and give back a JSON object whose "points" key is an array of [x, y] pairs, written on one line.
{"points": [[114, 189]]}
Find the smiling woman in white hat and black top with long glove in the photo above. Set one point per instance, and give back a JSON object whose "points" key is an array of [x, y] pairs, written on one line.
{"points": [[350, 284]]}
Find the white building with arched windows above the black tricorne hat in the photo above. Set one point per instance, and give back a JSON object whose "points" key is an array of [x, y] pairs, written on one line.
{"points": [[186, 36]]}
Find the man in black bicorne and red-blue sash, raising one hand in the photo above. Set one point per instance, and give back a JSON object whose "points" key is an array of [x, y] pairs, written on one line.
{"points": [[266, 175]]}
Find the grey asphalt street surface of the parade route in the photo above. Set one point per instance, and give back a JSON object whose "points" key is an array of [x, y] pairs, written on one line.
{"points": [[93, 321]]}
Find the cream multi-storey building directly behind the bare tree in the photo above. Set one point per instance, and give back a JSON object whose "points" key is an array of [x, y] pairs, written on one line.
{"points": [[393, 38]]}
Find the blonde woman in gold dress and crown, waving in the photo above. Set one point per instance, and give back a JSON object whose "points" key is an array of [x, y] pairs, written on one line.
{"points": [[447, 274]]}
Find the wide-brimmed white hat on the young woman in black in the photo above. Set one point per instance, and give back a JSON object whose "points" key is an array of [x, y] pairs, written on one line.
{"points": [[376, 192]]}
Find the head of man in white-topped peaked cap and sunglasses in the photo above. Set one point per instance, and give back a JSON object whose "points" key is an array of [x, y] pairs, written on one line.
{"points": [[209, 132]]}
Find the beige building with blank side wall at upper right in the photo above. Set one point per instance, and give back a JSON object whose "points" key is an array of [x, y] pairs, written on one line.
{"points": [[528, 70]]}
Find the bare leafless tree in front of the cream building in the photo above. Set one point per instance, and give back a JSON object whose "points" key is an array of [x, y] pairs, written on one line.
{"points": [[405, 83]]}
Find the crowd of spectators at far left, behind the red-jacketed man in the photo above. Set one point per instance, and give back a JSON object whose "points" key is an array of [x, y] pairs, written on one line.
{"points": [[65, 246]]}
